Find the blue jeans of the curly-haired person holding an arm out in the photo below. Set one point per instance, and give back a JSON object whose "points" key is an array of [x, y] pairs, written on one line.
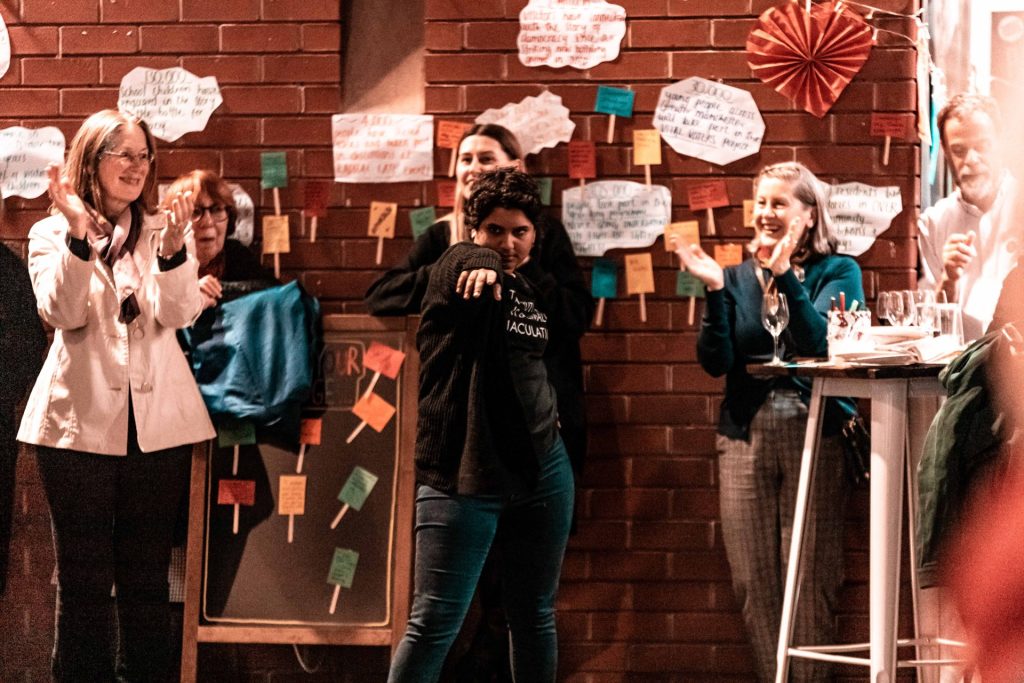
{"points": [[453, 536]]}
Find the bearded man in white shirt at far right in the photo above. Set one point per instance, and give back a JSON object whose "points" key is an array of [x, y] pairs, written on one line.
{"points": [[967, 241]]}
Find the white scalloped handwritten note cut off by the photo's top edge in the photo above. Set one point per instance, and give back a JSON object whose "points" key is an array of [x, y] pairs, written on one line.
{"points": [[579, 35]]}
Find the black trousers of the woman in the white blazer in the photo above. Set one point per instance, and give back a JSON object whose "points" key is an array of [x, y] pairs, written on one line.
{"points": [[113, 522]]}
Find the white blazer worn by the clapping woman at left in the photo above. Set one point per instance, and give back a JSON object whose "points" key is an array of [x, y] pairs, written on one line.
{"points": [[80, 401]]}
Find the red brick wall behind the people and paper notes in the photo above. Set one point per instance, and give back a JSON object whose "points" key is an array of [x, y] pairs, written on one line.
{"points": [[646, 593]]}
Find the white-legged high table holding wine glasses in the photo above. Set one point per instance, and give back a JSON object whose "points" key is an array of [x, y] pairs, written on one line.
{"points": [[890, 390]]}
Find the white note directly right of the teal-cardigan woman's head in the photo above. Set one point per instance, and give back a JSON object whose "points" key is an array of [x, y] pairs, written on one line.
{"points": [[861, 214]]}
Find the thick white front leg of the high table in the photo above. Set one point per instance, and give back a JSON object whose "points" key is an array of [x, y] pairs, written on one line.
{"points": [[888, 435]]}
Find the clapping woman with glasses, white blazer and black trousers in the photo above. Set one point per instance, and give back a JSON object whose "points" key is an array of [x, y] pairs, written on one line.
{"points": [[115, 409]]}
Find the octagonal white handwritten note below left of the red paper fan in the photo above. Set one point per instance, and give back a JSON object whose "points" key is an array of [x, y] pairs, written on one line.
{"points": [[709, 120]]}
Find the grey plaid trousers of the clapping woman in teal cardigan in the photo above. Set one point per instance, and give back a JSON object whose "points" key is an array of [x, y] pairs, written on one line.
{"points": [[758, 493]]}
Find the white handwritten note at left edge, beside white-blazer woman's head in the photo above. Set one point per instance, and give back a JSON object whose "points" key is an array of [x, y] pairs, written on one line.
{"points": [[25, 154]]}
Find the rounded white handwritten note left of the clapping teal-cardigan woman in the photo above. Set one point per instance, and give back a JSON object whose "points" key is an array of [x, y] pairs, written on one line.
{"points": [[615, 214]]}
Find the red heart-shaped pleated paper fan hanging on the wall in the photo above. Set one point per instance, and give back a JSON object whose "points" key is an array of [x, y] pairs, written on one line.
{"points": [[810, 59]]}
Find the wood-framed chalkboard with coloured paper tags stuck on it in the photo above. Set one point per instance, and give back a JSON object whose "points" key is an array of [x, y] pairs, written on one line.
{"points": [[253, 585]]}
